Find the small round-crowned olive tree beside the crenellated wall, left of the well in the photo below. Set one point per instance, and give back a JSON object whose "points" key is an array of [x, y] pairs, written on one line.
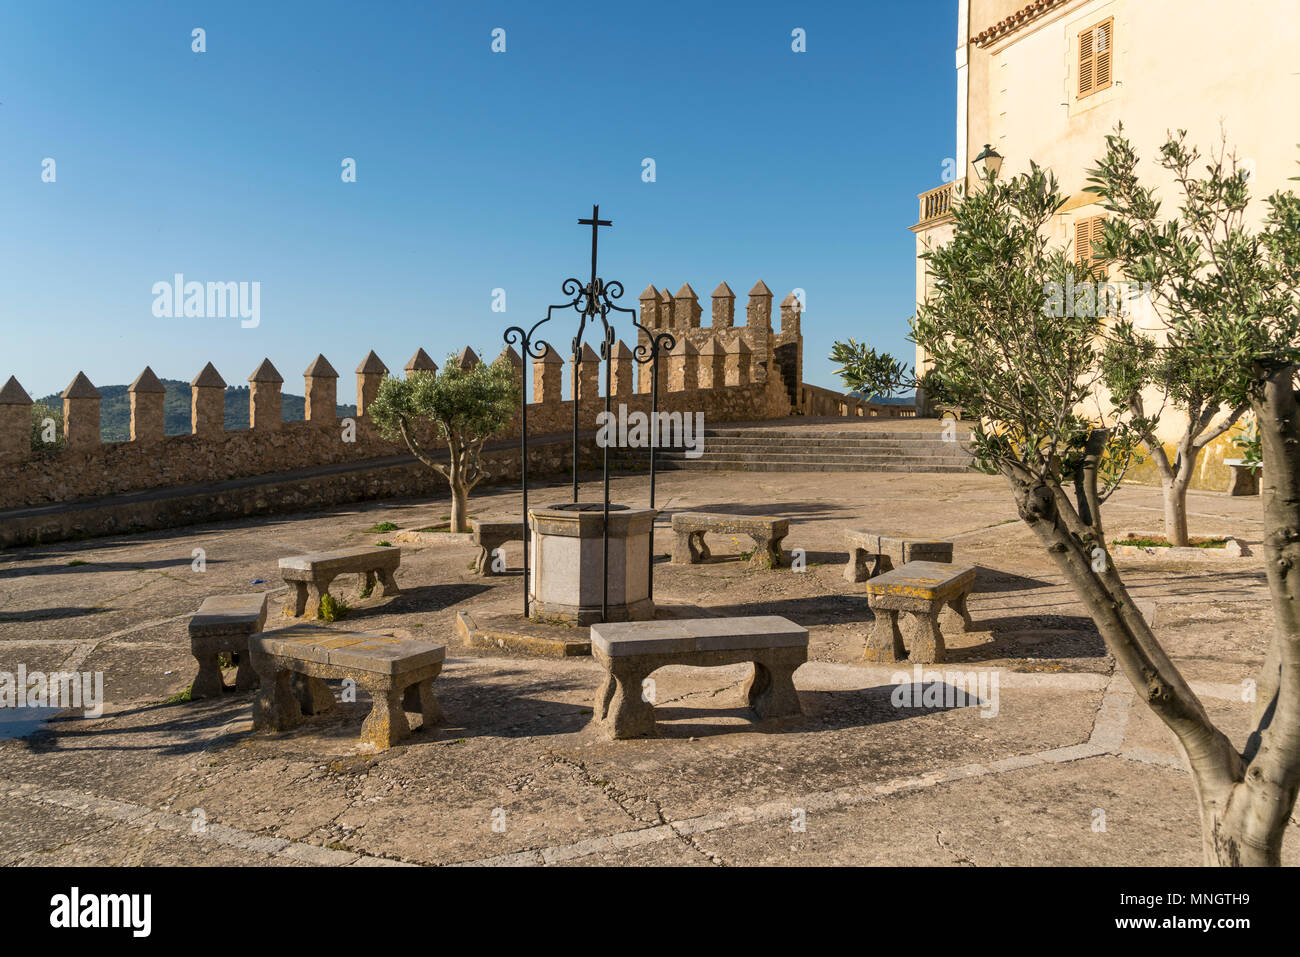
{"points": [[463, 408]]}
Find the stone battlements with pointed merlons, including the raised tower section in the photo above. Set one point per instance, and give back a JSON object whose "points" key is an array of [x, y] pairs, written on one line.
{"points": [[725, 371]]}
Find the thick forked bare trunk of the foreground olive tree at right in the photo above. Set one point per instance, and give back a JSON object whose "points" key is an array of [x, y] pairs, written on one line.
{"points": [[1246, 800]]}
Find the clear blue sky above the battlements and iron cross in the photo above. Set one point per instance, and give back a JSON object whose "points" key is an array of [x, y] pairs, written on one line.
{"points": [[473, 170]]}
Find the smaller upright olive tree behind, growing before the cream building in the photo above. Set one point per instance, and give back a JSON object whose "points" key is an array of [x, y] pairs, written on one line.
{"points": [[1188, 270]]}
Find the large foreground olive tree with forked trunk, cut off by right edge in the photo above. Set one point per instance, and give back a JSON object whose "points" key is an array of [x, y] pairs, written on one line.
{"points": [[1030, 378]]}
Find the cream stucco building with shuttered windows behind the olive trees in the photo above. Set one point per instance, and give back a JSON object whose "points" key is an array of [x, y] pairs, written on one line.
{"points": [[1050, 80]]}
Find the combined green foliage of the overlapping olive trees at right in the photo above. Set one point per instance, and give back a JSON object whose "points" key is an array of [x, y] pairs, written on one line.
{"points": [[1042, 370]]}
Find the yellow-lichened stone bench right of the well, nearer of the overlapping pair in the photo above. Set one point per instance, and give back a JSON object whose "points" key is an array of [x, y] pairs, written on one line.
{"points": [[922, 590]]}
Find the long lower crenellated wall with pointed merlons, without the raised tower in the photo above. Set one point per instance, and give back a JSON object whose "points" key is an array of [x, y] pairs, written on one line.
{"points": [[88, 469]]}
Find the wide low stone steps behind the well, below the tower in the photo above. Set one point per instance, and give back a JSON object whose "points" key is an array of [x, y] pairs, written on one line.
{"points": [[804, 451]]}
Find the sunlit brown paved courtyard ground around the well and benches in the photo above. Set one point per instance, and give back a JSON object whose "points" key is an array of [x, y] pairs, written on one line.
{"points": [[874, 785]]}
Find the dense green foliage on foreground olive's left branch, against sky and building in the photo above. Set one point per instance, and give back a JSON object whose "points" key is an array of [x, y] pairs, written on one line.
{"points": [[994, 340]]}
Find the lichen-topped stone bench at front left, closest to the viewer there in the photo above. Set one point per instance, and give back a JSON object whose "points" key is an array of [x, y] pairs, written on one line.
{"points": [[398, 674]]}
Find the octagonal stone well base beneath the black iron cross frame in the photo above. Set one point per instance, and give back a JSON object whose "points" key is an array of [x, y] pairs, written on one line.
{"points": [[567, 568]]}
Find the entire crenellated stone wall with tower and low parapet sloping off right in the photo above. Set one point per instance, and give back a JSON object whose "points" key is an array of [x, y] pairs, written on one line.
{"points": [[730, 373]]}
